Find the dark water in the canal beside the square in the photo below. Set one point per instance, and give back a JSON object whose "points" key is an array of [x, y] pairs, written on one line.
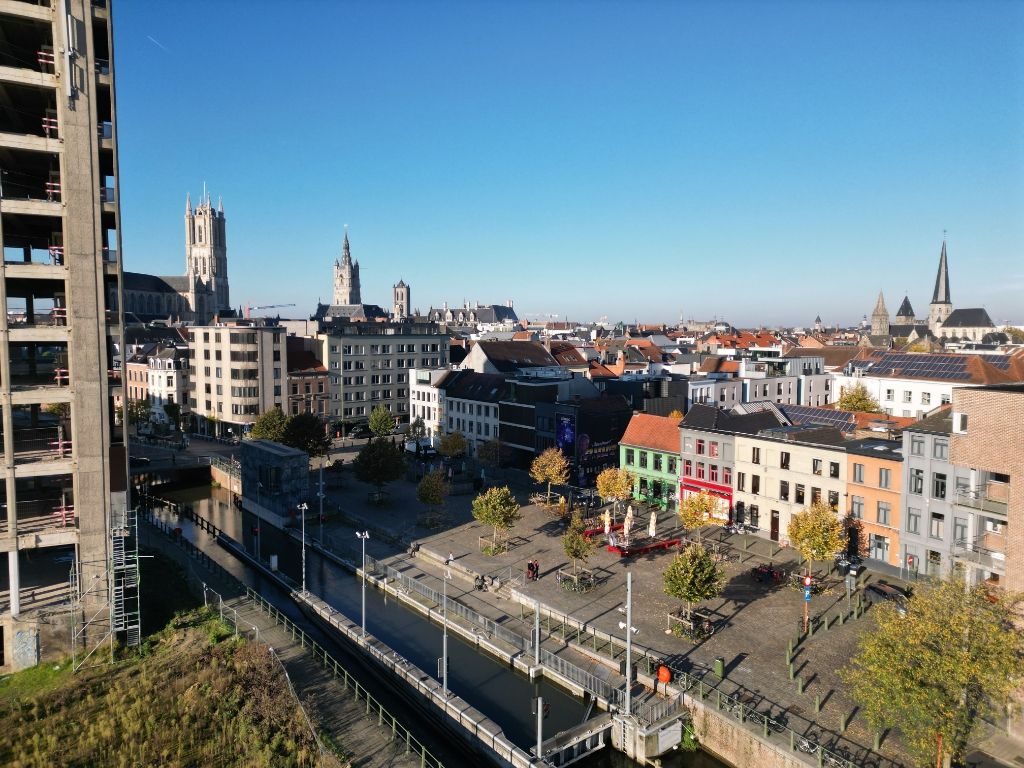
{"points": [[486, 684]]}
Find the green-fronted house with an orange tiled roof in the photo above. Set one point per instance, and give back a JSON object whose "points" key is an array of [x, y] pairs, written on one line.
{"points": [[650, 450]]}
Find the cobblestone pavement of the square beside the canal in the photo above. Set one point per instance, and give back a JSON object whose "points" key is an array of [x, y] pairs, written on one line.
{"points": [[756, 622]]}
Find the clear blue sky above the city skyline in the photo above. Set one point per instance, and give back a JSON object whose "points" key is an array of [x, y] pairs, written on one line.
{"points": [[763, 162]]}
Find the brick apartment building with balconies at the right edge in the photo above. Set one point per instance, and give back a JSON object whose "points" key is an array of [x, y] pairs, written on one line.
{"points": [[989, 443]]}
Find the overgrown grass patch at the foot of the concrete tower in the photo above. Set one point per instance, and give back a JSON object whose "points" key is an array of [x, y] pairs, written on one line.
{"points": [[197, 697]]}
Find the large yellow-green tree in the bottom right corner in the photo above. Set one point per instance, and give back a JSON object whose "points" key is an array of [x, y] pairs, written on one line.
{"points": [[936, 673]]}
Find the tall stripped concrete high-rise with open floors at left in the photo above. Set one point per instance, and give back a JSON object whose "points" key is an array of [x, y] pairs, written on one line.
{"points": [[66, 471]]}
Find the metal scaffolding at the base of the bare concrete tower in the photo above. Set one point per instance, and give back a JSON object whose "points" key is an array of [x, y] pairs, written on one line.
{"points": [[106, 594]]}
